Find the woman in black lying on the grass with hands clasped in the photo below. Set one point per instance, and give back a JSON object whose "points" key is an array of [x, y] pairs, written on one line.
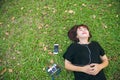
{"points": [[86, 59]]}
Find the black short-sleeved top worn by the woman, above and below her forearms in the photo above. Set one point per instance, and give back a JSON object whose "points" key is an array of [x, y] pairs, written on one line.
{"points": [[84, 54]]}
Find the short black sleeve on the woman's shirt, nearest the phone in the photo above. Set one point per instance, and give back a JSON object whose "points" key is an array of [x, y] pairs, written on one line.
{"points": [[69, 53]]}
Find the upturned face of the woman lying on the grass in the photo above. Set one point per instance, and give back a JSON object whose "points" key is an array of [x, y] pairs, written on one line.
{"points": [[82, 32]]}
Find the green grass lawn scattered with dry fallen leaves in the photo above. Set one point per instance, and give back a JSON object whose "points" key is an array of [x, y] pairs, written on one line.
{"points": [[30, 28]]}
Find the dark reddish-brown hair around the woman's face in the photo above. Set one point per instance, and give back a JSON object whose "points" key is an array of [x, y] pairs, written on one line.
{"points": [[72, 33]]}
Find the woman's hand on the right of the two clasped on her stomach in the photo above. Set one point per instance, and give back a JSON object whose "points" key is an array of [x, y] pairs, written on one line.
{"points": [[95, 68]]}
